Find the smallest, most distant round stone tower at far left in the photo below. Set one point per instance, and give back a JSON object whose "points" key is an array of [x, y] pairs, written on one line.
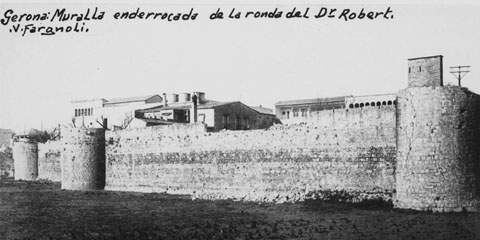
{"points": [[25, 157]]}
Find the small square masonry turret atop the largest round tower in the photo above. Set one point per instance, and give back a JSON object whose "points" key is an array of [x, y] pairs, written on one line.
{"points": [[425, 71]]}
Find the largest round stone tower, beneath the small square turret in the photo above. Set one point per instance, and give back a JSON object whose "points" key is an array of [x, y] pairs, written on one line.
{"points": [[438, 149]]}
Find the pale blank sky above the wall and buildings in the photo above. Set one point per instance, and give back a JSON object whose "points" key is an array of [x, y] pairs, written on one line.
{"points": [[256, 61]]}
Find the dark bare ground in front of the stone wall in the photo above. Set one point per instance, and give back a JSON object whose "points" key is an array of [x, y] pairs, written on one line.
{"points": [[40, 210]]}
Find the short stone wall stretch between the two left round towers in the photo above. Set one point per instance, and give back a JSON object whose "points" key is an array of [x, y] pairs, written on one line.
{"points": [[49, 161]]}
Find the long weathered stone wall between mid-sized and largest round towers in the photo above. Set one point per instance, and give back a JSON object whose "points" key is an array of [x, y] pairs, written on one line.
{"points": [[347, 150]]}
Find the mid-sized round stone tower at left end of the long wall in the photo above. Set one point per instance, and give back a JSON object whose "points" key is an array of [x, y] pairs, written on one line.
{"points": [[83, 159]]}
